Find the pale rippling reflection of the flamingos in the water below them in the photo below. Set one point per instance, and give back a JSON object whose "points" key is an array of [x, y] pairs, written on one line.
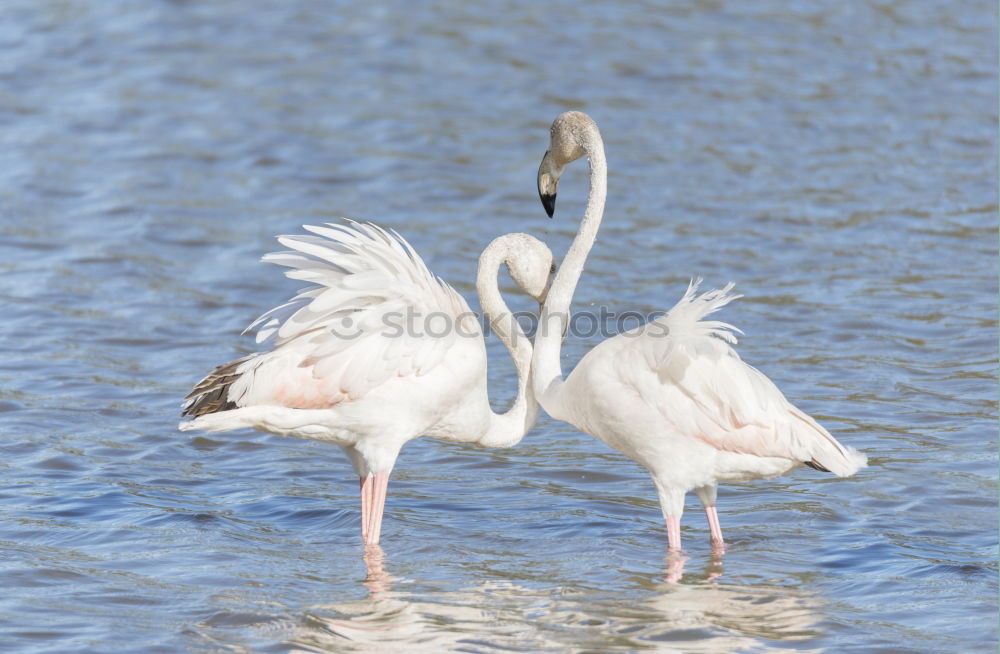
{"points": [[701, 615]]}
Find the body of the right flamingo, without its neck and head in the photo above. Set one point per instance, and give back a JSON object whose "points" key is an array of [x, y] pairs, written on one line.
{"points": [[675, 397]]}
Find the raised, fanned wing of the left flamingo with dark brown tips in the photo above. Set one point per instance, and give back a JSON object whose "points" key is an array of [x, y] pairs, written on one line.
{"points": [[373, 312]]}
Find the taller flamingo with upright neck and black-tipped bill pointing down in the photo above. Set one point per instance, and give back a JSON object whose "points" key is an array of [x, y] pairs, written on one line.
{"points": [[672, 395]]}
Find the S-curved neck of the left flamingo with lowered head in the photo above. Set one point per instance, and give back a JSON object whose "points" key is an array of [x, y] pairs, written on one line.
{"points": [[507, 428]]}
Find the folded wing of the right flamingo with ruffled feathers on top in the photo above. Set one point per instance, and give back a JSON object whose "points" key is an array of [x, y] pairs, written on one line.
{"points": [[709, 393]]}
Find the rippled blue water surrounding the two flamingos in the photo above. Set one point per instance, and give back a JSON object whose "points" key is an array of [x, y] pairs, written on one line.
{"points": [[835, 159]]}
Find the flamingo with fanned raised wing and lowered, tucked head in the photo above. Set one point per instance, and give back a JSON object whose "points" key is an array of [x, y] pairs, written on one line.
{"points": [[377, 352]]}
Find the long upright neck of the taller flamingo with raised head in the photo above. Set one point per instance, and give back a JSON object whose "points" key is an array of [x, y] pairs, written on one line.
{"points": [[545, 364]]}
